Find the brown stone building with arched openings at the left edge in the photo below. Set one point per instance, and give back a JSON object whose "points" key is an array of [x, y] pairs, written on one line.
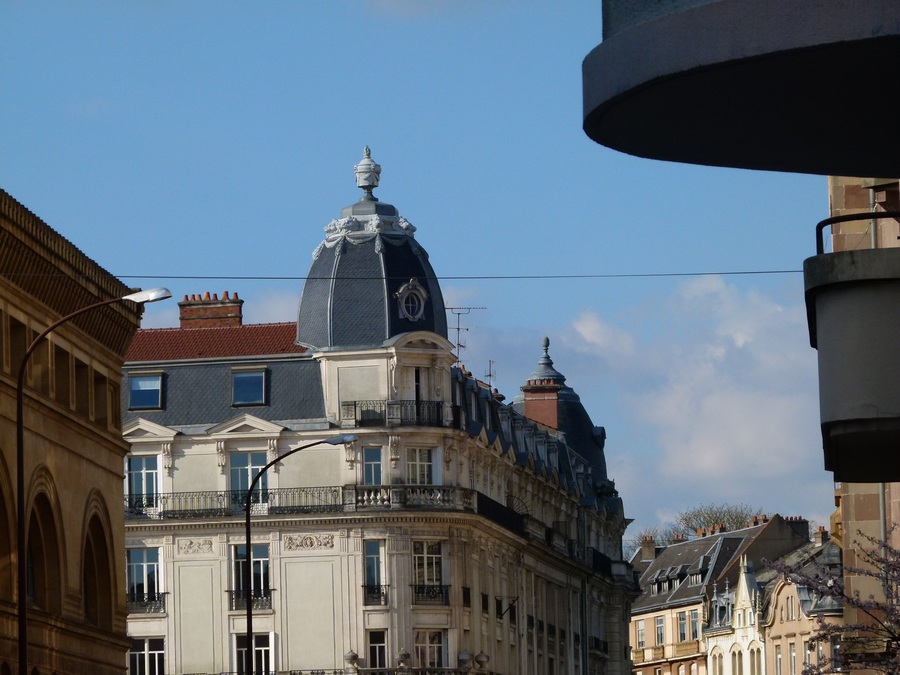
{"points": [[73, 452]]}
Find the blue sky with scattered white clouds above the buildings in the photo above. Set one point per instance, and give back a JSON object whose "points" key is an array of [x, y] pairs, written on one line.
{"points": [[190, 144]]}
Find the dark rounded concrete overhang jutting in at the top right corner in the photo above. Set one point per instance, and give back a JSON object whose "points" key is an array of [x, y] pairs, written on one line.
{"points": [[755, 84]]}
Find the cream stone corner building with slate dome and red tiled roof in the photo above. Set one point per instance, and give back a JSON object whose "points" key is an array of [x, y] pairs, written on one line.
{"points": [[459, 533]]}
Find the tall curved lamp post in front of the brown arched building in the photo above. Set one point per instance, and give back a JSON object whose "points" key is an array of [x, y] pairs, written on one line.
{"points": [[140, 297]]}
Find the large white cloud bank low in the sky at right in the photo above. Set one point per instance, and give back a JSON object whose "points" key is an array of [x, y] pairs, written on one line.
{"points": [[719, 401]]}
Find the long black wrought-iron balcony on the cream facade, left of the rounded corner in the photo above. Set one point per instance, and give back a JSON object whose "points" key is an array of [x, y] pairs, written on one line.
{"points": [[175, 505]]}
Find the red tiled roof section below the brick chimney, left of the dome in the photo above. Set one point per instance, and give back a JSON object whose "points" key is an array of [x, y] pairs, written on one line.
{"points": [[165, 344]]}
